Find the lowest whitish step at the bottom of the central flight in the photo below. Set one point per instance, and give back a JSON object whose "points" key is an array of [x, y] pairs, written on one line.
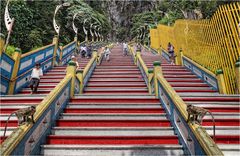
{"points": [[110, 150]]}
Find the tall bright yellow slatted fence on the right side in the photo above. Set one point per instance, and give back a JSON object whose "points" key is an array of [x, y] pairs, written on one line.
{"points": [[212, 43]]}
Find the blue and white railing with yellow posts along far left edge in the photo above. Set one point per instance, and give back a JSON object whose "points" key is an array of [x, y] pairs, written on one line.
{"points": [[16, 70]]}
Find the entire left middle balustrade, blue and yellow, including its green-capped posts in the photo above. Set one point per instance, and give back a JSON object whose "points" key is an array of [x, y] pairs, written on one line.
{"points": [[27, 138]]}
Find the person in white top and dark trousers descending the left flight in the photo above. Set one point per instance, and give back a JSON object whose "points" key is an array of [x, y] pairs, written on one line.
{"points": [[35, 78]]}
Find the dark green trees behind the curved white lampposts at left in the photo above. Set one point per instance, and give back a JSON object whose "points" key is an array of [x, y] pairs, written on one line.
{"points": [[33, 25]]}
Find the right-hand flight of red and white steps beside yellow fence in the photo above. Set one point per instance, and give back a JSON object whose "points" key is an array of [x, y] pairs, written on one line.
{"points": [[193, 90]]}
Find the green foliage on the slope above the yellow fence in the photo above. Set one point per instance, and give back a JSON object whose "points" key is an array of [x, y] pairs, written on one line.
{"points": [[168, 11]]}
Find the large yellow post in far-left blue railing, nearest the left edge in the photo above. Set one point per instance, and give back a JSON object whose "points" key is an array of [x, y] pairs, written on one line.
{"points": [[16, 57]]}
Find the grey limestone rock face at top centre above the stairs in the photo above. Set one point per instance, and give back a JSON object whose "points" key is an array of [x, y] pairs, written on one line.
{"points": [[120, 13]]}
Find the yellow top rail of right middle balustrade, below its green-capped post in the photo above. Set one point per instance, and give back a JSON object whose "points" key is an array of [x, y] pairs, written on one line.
{"points": [[209, 146]]}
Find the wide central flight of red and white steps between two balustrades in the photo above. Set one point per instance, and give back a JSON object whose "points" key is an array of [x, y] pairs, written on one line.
{"points": [[115, 116]]}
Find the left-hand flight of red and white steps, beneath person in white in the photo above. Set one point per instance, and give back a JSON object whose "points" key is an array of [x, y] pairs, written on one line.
{"points": [[10, 103]]}
